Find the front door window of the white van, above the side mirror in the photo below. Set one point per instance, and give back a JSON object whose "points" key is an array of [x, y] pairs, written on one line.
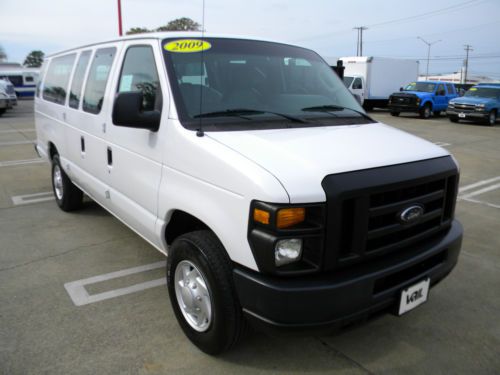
{"points": [[139, 74]]}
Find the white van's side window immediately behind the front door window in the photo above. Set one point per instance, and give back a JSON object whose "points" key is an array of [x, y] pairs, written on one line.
{"points": [[97, 80]]}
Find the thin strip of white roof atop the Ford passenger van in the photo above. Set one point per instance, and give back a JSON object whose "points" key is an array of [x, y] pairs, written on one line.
{"points": [[164, 35]]}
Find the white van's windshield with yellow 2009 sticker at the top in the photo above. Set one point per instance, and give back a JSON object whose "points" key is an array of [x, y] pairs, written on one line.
{"points": [[234, 84]]}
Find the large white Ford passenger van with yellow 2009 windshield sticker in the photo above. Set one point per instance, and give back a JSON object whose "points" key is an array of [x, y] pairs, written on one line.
{"points": [[276, 199]]}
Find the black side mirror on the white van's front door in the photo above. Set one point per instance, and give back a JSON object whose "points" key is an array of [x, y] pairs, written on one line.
{"points": [[127, 111]]}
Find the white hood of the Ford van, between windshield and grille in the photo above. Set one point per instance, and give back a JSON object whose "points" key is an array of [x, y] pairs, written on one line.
{"points": [[300, 158]]}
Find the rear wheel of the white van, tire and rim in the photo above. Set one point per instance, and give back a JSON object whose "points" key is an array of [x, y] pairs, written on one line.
{"points": [[68, 196]]}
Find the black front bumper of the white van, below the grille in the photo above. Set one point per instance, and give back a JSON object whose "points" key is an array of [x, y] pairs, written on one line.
{"points": [[338, 298]]}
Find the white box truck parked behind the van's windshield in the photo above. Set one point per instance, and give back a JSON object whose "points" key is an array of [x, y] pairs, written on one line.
{"points": [[373, 79]]}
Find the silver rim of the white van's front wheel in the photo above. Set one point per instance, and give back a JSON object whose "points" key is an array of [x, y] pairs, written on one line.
{"points": [[193, 296]]}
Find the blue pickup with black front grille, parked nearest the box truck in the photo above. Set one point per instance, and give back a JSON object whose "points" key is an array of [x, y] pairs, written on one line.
{"points": [[423, 97]]}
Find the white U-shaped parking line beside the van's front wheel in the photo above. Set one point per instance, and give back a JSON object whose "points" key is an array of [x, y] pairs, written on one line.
{"points": [[80, 296]]}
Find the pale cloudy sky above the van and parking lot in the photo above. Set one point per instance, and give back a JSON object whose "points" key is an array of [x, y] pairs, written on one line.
{"points": [[325, 26]]}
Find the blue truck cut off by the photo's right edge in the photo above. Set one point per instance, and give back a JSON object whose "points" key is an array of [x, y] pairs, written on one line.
{"points": [[480, 103]]}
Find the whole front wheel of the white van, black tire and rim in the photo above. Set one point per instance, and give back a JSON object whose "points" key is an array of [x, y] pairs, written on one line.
{"points": [[200, 259]]}
